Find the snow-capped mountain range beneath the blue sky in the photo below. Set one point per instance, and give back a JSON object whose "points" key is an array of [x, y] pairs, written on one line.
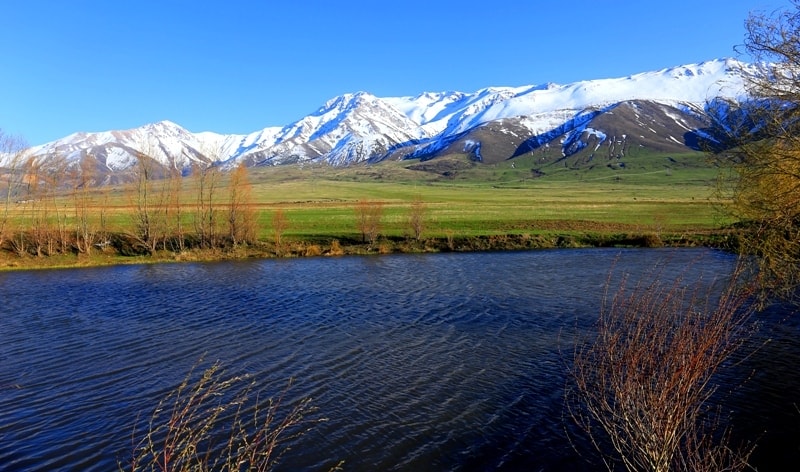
{"points": [[665, 106]]}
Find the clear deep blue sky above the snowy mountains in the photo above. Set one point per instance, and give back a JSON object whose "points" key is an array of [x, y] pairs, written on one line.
{"points": [[238, 66]]}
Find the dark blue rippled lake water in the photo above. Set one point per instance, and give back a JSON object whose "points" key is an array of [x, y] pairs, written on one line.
{"points": [[428, 362]]}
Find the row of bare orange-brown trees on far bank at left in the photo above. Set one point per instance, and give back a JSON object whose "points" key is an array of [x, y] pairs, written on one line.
{"points": [[52, 206]]}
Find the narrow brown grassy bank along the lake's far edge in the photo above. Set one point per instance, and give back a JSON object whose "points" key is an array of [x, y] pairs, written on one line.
{"points": [[338, 247]]}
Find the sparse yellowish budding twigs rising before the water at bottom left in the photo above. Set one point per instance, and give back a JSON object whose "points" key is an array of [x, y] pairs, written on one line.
{"points": [[211, 422]]}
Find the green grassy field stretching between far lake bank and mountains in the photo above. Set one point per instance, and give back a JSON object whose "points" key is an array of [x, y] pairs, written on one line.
{"points": [[536, 204]]}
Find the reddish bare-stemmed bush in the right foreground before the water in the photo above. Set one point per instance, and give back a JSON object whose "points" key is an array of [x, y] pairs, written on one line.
{"points": [[641, 386]]}
